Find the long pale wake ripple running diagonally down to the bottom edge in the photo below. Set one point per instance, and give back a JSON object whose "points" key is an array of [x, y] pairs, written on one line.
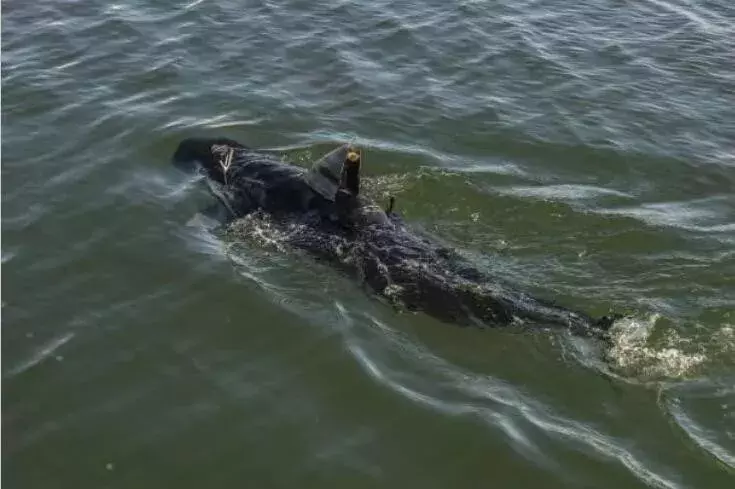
{"points": [[460, 391]]}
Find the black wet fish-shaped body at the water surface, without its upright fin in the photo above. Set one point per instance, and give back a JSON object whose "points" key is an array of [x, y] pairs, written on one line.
{"points": [[408, 269]]}
